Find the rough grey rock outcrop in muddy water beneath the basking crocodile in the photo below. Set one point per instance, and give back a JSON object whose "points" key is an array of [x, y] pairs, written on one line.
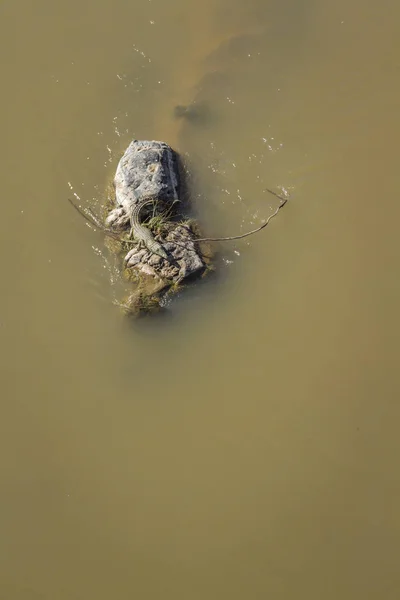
{"points": [[150, 168]]}
